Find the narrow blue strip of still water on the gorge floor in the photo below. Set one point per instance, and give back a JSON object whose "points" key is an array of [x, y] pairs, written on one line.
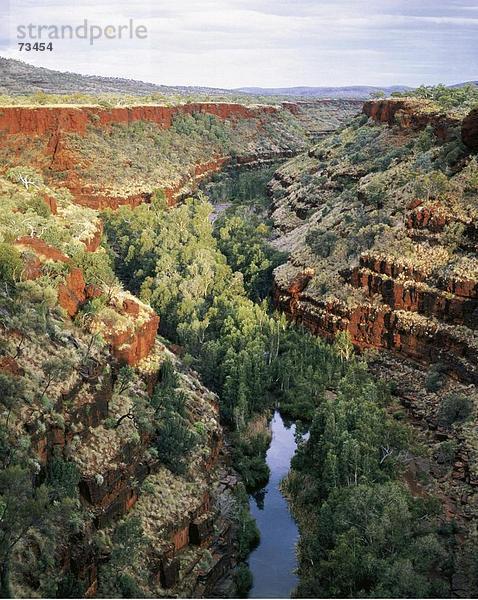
{"points": [[273, 562]]}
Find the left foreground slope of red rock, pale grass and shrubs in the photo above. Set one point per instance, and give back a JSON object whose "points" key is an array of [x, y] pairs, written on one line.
{"points": [[65, 338]]}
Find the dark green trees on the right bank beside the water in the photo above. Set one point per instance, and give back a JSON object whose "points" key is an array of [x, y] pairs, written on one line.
{"points": [[362, 532]]}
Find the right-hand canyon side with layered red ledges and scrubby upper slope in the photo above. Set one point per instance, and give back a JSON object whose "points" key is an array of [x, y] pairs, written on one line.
{"points": [[369, 256]]}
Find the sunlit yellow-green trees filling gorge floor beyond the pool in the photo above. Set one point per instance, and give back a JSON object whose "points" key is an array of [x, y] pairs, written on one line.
{"points": [[174, 261]]}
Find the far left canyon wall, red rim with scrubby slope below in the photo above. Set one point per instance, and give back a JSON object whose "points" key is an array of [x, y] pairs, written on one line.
{"points": [[119, 156]]}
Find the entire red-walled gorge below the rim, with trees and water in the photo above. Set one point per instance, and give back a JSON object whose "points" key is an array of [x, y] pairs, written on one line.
{"points": [[179, 280]]}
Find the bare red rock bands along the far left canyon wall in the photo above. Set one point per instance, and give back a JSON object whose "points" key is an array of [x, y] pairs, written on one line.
{"points": [[52, 124]]}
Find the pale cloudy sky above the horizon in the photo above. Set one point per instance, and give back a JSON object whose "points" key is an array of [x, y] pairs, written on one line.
{"points": [[266, 43]]}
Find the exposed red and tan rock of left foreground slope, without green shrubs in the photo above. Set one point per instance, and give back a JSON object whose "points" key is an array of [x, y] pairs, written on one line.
{"points": [[112, 463]]}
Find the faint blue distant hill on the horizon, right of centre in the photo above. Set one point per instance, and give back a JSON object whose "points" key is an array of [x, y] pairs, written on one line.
{"points": [[354, 91]]}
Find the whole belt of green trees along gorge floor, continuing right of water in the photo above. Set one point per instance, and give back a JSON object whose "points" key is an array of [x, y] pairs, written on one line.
{"points": [[347, 474]]}
